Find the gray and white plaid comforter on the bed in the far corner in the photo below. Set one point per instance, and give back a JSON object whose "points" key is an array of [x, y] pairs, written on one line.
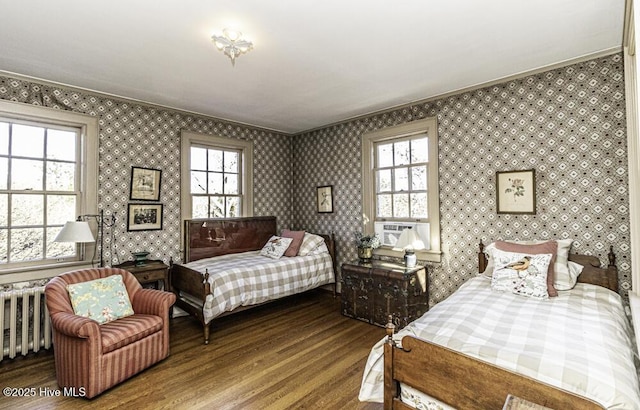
{"points": [[248, 278]]}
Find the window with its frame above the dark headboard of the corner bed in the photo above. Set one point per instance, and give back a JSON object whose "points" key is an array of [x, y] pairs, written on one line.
{"points": [[218, 171]]}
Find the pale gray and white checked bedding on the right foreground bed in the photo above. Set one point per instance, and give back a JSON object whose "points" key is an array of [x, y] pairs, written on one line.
{"points": [[579, 341]]}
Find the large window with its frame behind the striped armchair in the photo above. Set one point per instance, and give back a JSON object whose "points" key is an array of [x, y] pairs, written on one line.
{"points": [[46, 161]]}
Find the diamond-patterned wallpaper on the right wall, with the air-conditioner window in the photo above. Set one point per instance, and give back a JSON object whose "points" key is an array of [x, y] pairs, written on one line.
{"points": [[568, 124]]}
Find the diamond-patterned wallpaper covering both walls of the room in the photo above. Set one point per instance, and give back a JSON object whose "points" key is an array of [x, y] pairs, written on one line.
{"points": [[568, 123]]}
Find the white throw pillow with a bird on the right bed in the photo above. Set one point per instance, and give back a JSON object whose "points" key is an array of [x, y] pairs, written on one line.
{"points": [[521, 274]]}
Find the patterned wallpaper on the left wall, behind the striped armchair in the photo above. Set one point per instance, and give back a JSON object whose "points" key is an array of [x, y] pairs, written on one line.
{"points": [[133, 134]]}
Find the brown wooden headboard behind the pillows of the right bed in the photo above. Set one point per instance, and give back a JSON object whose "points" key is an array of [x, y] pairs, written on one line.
{"points": [[592, 272]]}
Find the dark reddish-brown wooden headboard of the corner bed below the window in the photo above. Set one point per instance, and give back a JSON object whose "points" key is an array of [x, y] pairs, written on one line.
{"points": [[205, 238]]}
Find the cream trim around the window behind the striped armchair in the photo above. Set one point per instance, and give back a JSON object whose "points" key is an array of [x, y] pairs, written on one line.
{"points": [[89, 172]]}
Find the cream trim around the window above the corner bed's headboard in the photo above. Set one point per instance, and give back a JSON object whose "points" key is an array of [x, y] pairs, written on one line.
{"points": [[189, 138]]}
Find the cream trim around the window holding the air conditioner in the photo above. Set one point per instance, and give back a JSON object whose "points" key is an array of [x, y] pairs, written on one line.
{"points": [[430, 127]]}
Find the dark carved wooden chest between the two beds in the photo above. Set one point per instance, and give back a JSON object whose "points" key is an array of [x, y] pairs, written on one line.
{"points": [[372, 291]]}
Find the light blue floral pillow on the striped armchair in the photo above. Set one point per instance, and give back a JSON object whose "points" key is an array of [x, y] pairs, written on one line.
{"points": [[103, 300]]}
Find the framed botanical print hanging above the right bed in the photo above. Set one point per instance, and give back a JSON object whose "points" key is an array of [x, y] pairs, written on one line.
{"points": [[516, 192]]}
